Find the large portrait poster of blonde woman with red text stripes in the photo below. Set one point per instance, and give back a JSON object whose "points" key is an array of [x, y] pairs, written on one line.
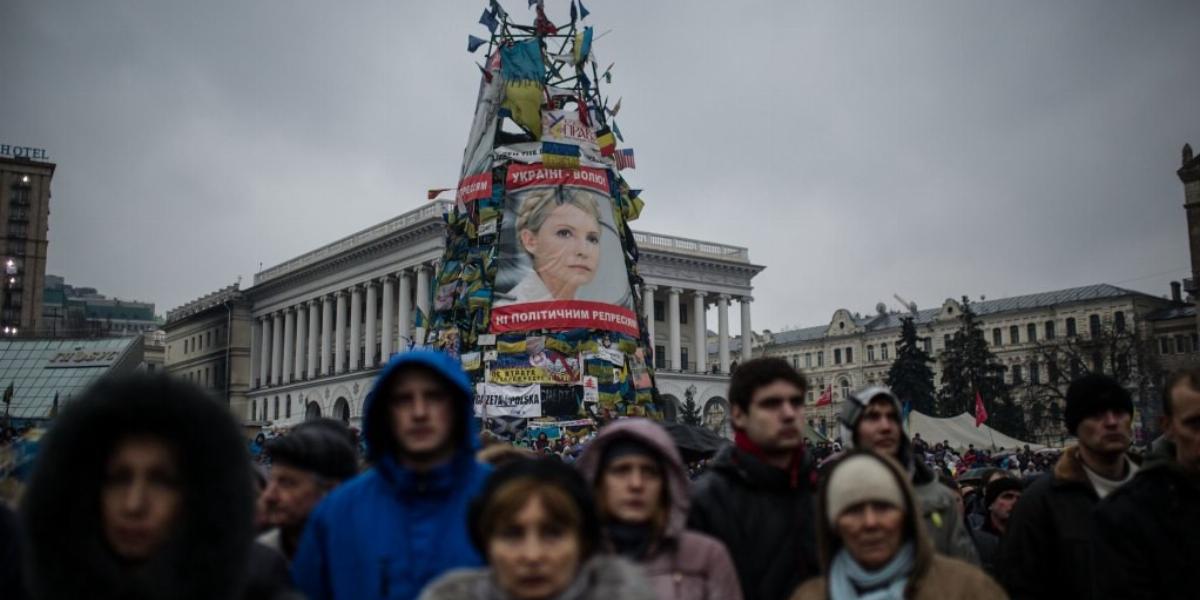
{"points": [[562, 265]]}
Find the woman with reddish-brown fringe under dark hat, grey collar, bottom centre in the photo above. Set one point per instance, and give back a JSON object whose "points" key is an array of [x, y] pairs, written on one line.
{"points": [[536, 525]]}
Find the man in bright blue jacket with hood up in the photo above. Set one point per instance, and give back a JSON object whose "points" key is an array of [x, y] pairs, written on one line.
{"points": [[403, 523]]}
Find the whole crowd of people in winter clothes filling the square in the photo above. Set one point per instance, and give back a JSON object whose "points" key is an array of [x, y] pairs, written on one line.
{"points": [[145, 489]]}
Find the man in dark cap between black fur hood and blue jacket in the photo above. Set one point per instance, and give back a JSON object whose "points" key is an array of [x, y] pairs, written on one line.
{"points": [[307, 465]]}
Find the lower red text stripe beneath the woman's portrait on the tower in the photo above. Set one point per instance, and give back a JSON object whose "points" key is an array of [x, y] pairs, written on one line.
{"points": [[565, 315]]}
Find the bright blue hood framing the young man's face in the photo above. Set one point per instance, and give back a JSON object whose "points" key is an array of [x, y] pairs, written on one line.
{"points": [[376, 423]]}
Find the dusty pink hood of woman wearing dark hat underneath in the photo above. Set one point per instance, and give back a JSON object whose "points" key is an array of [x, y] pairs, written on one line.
{"points": [[656, 437]]}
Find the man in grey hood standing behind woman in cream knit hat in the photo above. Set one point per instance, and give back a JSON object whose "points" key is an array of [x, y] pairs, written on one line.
{"points": [[872, 421]]}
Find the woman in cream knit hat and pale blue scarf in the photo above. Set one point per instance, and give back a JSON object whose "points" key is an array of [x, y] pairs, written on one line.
{"points": [[873, 544]]}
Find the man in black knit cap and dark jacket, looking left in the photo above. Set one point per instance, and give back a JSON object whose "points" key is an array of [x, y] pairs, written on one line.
{"points": [[1048, 551]]}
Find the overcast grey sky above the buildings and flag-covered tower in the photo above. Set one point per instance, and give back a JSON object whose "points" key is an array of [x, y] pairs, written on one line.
{"points": [[857, 148]]}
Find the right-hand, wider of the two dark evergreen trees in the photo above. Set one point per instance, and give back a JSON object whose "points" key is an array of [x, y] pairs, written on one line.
{"points": [[968, 368]]}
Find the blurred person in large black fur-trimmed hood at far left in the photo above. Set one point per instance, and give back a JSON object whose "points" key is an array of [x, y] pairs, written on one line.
{"points": [[142, 490]]}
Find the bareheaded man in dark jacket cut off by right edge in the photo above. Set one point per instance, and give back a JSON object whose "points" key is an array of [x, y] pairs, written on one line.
{"points": [[1149, 532]]}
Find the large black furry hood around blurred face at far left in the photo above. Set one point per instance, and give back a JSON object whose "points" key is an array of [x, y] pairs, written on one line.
{"points": [[208, 551]]}
